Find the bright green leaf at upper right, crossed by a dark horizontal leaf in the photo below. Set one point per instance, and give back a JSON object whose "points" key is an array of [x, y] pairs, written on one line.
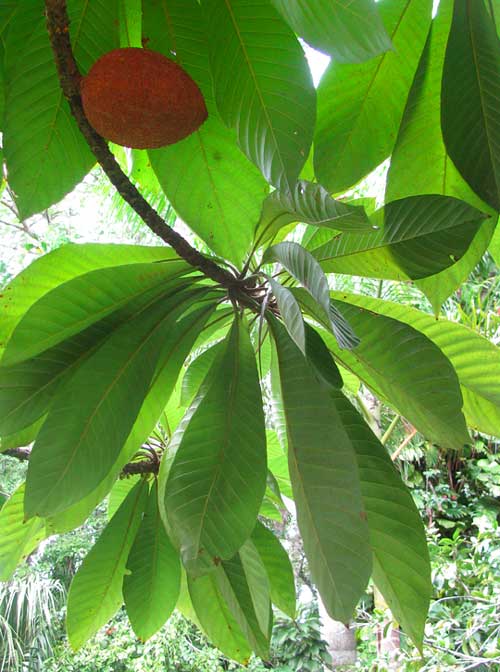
{"points": [[420, 163]]}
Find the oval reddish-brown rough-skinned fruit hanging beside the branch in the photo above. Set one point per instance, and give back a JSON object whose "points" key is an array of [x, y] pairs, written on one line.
{"points": [[141, 99]]}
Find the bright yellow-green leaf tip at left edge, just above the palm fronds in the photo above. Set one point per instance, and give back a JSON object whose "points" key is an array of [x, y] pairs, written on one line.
{"points": [[18, 538]]}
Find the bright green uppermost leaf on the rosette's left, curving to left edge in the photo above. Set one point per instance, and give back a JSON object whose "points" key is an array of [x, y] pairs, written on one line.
{"points": [[62, 265]]}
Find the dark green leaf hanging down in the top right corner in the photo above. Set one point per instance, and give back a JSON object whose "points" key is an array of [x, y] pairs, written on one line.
{"points": [[470, 99]]}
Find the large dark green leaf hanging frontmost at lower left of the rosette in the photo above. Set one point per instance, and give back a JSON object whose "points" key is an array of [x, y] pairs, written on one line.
{"points": [[93, 415]]}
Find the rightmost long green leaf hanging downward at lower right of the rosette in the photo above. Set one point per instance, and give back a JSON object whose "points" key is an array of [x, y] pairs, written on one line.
{"points": [[401, 566]]}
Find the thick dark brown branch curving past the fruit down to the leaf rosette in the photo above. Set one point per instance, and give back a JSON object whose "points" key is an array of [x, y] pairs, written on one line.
{"points": [[70, 77]]}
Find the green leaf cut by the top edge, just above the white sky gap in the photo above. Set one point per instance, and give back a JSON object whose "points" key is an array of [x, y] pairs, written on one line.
{"points": [[348, 30]]}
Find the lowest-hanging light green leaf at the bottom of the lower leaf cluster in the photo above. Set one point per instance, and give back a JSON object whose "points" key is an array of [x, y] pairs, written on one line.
{"points": [[216, 619]]}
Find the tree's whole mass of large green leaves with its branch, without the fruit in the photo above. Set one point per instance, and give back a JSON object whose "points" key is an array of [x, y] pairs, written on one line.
{"points": [[138, 371]]}
